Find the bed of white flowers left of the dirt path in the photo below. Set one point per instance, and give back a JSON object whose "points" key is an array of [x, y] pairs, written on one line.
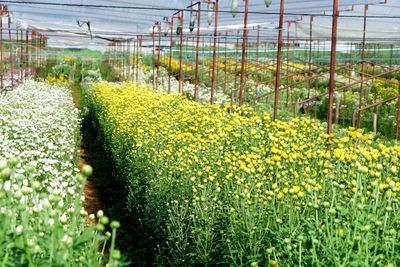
{"points": [[41, 195]]}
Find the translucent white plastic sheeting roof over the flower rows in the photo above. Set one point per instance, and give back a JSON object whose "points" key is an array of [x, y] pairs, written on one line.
{"points": [[90, 23]]}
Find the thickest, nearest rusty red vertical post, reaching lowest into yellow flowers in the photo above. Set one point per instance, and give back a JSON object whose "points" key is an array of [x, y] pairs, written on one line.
{"points": [[333, 63]]}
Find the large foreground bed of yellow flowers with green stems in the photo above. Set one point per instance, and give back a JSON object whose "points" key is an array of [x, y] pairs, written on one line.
{"points": [[236, 189]]}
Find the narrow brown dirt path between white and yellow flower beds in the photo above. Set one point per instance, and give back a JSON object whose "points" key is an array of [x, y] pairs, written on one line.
{"points": [[93, 194]]}
